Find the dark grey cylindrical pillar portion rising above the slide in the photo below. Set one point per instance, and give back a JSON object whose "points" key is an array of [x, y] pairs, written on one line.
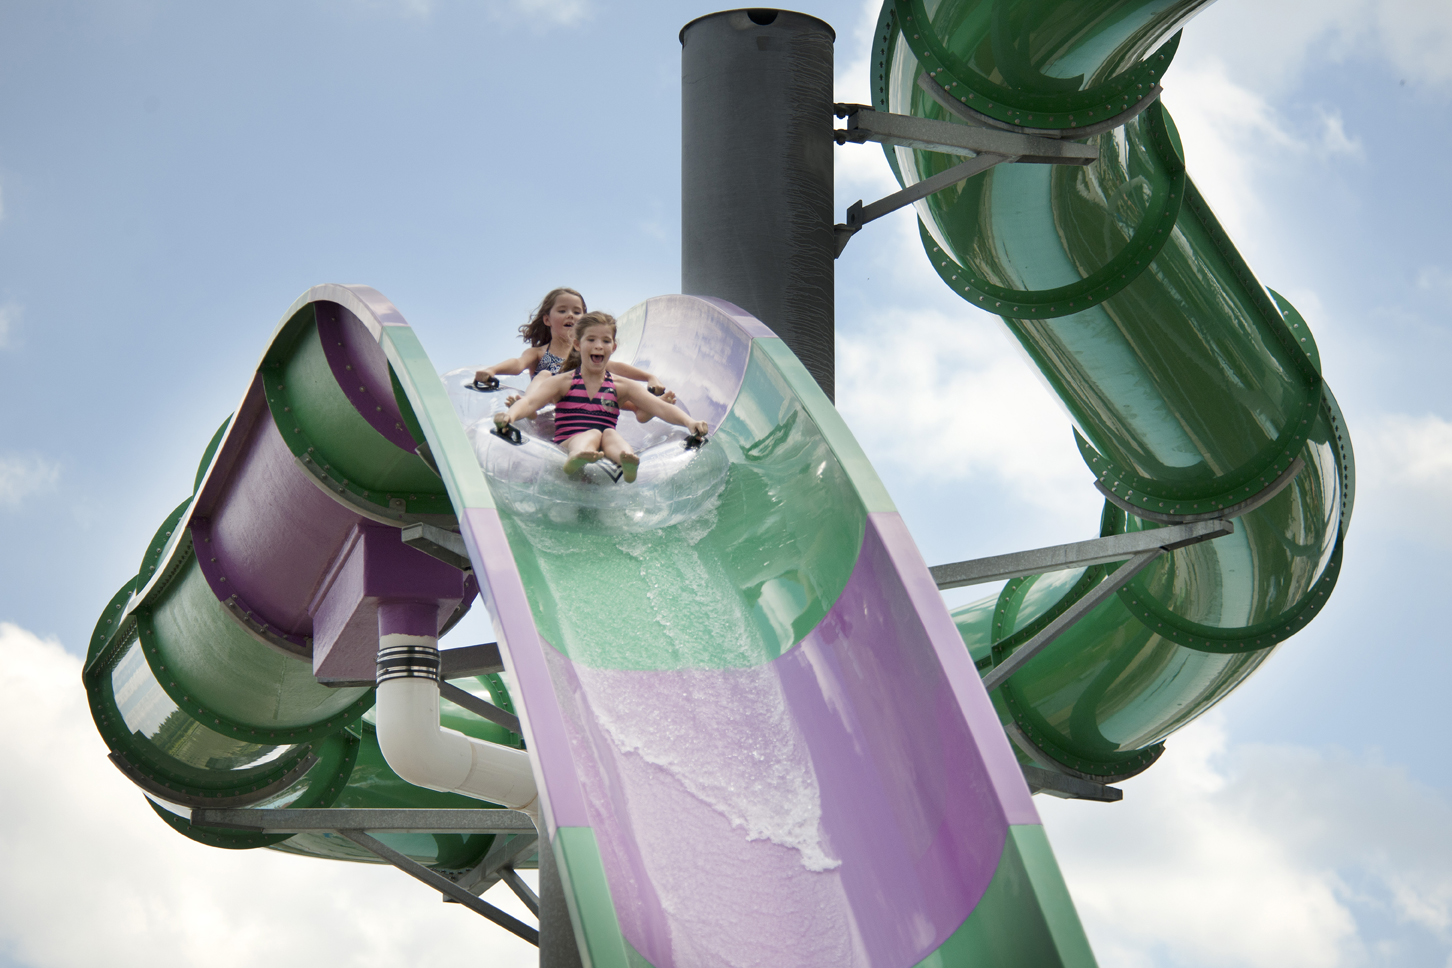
{"points": [[757, 173]]}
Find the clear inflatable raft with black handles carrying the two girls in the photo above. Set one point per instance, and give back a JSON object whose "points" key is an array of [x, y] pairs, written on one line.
{"points": [[674, 484]]}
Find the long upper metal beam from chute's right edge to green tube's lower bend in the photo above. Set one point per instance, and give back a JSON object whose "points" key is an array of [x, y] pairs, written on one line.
{"points": [[1059, 558]]}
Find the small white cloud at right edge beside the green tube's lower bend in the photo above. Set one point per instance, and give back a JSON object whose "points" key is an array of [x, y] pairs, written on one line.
{"points": [[1405, 475]]}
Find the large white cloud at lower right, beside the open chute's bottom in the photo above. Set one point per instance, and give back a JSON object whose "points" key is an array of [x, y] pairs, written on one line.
{"points": [[1260, 857]]}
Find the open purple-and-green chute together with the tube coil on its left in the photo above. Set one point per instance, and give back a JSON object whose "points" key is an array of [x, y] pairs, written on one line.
{"points": [[709, 702]]}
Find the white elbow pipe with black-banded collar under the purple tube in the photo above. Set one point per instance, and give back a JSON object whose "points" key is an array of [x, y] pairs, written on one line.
{"points": [[425, 754]]}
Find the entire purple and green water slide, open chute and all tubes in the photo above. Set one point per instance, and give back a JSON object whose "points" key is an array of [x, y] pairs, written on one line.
{"points": [[754, 732]]}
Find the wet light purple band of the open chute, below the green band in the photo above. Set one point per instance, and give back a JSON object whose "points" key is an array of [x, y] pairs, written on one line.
{"points": [[844, 805]]}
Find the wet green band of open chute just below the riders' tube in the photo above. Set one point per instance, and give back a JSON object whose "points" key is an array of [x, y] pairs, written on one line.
{"points": [[733, 588]]}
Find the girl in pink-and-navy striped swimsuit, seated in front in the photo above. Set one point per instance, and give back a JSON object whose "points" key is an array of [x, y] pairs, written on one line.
{"points": [[589, 401]]}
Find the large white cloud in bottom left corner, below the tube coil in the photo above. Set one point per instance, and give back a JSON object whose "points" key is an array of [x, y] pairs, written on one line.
{"points": [[79, 847]]}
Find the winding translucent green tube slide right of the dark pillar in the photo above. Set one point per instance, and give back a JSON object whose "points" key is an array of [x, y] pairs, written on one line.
{"points": [[1191, 387]]}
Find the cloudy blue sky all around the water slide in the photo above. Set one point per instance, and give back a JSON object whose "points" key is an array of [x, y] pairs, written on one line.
{"points": [[174, 175]]}
